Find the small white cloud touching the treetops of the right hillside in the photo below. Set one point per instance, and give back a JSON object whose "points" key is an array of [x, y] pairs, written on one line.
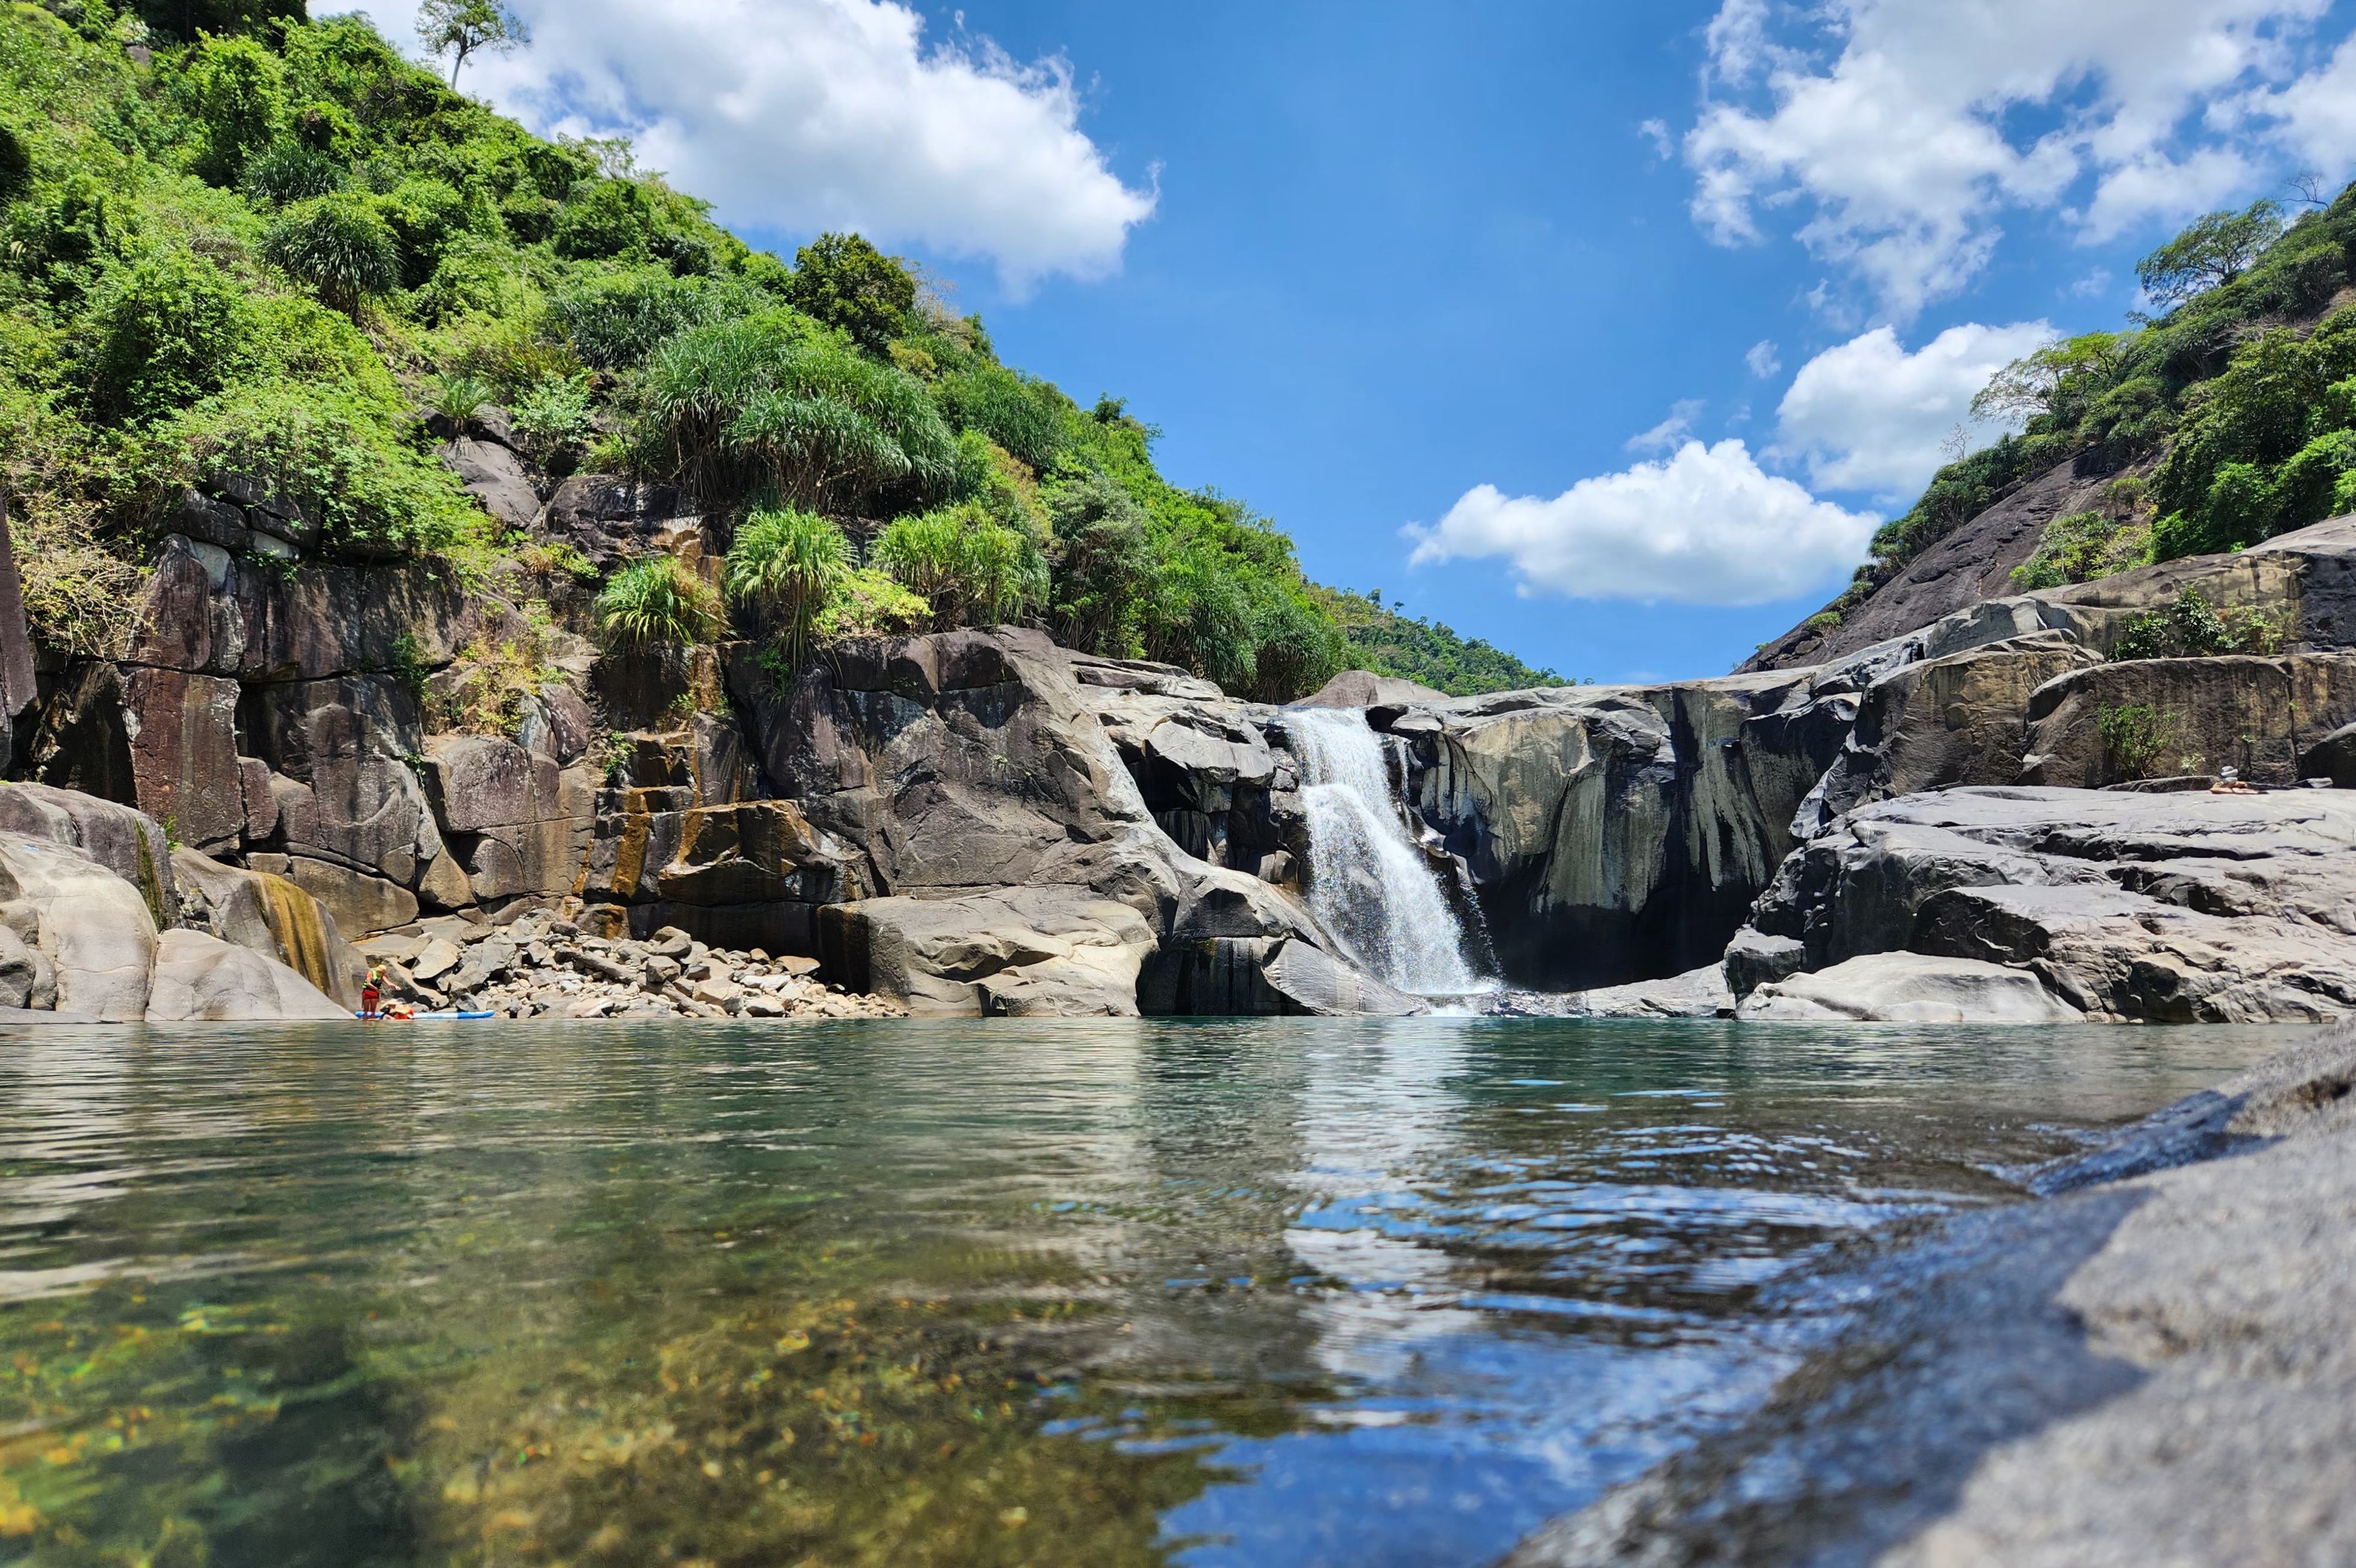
{"points": [[1869, 416]]}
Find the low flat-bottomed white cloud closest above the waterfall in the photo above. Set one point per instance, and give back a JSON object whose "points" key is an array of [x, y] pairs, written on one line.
{"points": [[1705, 526]]}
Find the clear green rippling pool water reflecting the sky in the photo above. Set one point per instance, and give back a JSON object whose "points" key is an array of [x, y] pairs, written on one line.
{"points": [[1080, 1296]]}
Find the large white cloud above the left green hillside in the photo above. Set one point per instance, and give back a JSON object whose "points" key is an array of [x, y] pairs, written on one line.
{"points": [[828, 114]]}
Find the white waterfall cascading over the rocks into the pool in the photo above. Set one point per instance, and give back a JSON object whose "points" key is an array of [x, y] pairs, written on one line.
{"points": [[1370, 884]]}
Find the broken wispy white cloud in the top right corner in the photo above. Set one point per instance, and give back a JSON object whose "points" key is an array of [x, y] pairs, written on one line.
{"points": [[1898, 126]]}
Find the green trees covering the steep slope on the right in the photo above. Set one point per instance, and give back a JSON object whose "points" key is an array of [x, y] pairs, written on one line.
{"points": [[2230, 418]]}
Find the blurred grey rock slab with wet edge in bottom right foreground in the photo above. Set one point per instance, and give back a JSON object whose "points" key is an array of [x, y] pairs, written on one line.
{"points": [[2145, 1371]]}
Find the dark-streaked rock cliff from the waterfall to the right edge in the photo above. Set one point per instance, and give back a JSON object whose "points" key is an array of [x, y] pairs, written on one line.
{"points": [[1622, 835]]}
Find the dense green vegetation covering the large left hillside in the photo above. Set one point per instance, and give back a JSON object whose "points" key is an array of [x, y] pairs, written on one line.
{"points": [[237, 241]]}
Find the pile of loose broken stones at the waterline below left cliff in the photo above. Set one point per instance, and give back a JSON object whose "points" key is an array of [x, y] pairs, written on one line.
{"points": [[543, 966]]}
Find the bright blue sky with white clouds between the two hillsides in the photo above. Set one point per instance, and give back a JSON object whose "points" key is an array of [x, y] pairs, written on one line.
{"points": [[1514, 274]]}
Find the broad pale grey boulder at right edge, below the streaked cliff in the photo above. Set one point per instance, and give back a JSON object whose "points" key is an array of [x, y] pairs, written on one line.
{"points": [[2173, 908]]}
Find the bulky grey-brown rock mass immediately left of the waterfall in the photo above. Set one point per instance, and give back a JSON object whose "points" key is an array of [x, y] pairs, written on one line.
{"points": [[1002, 858]]}
